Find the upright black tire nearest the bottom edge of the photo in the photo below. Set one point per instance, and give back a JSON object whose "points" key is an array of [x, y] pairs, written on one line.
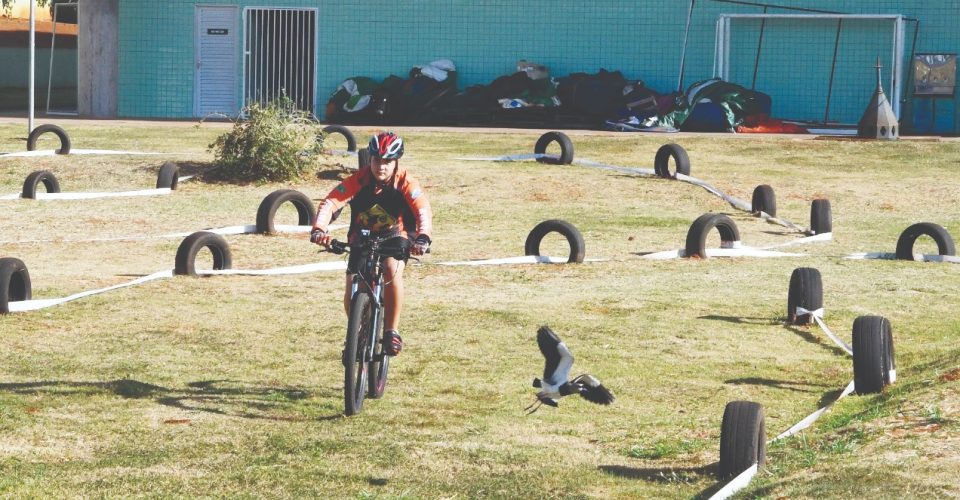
{"points": [[743, 438]]}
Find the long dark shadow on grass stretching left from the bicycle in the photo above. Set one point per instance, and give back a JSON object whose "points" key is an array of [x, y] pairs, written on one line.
{"points": [[221, 397]]}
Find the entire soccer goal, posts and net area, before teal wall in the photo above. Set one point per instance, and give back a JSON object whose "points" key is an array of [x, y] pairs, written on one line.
{"points": [[817, 68]]}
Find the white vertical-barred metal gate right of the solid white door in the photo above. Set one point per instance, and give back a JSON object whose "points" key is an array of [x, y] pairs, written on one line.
{"points": [[280, 56]]}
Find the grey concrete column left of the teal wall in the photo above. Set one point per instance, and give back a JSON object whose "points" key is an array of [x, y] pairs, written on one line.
{"points": [[98, 40]]}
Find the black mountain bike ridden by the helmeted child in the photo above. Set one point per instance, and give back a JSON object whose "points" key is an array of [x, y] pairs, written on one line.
{"points": [[363, 349]]}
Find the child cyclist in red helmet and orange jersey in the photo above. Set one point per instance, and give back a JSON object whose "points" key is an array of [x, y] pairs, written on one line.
{"points": [[387, 200]]}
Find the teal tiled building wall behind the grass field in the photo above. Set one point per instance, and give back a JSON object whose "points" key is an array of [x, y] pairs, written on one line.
{"points": [[642, 39]]}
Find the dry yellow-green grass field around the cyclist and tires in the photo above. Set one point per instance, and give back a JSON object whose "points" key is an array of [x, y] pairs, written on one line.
{"points": [[231, 386]]}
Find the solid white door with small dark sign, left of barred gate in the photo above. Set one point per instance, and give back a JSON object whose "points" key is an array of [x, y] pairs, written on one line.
{"points": [[216, 72]]}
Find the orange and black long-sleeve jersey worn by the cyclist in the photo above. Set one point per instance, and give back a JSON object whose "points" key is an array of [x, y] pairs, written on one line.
{"points": [[400, 206]]}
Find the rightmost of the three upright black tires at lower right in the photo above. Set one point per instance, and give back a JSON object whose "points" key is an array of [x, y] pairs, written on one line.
{"points": [[872, 357]]}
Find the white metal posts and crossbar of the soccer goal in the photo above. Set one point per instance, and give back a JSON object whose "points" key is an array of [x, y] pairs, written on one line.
{"points": [[723, 43]]}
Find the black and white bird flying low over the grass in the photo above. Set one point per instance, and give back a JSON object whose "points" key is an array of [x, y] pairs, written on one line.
{"points": [[556, 371]]}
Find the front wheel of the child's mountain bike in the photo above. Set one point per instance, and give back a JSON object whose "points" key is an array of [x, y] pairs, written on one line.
{"points": [[354, 366]]}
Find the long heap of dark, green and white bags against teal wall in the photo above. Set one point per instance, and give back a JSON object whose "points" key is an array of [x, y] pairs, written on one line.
{"points": [[531, 96]]}
